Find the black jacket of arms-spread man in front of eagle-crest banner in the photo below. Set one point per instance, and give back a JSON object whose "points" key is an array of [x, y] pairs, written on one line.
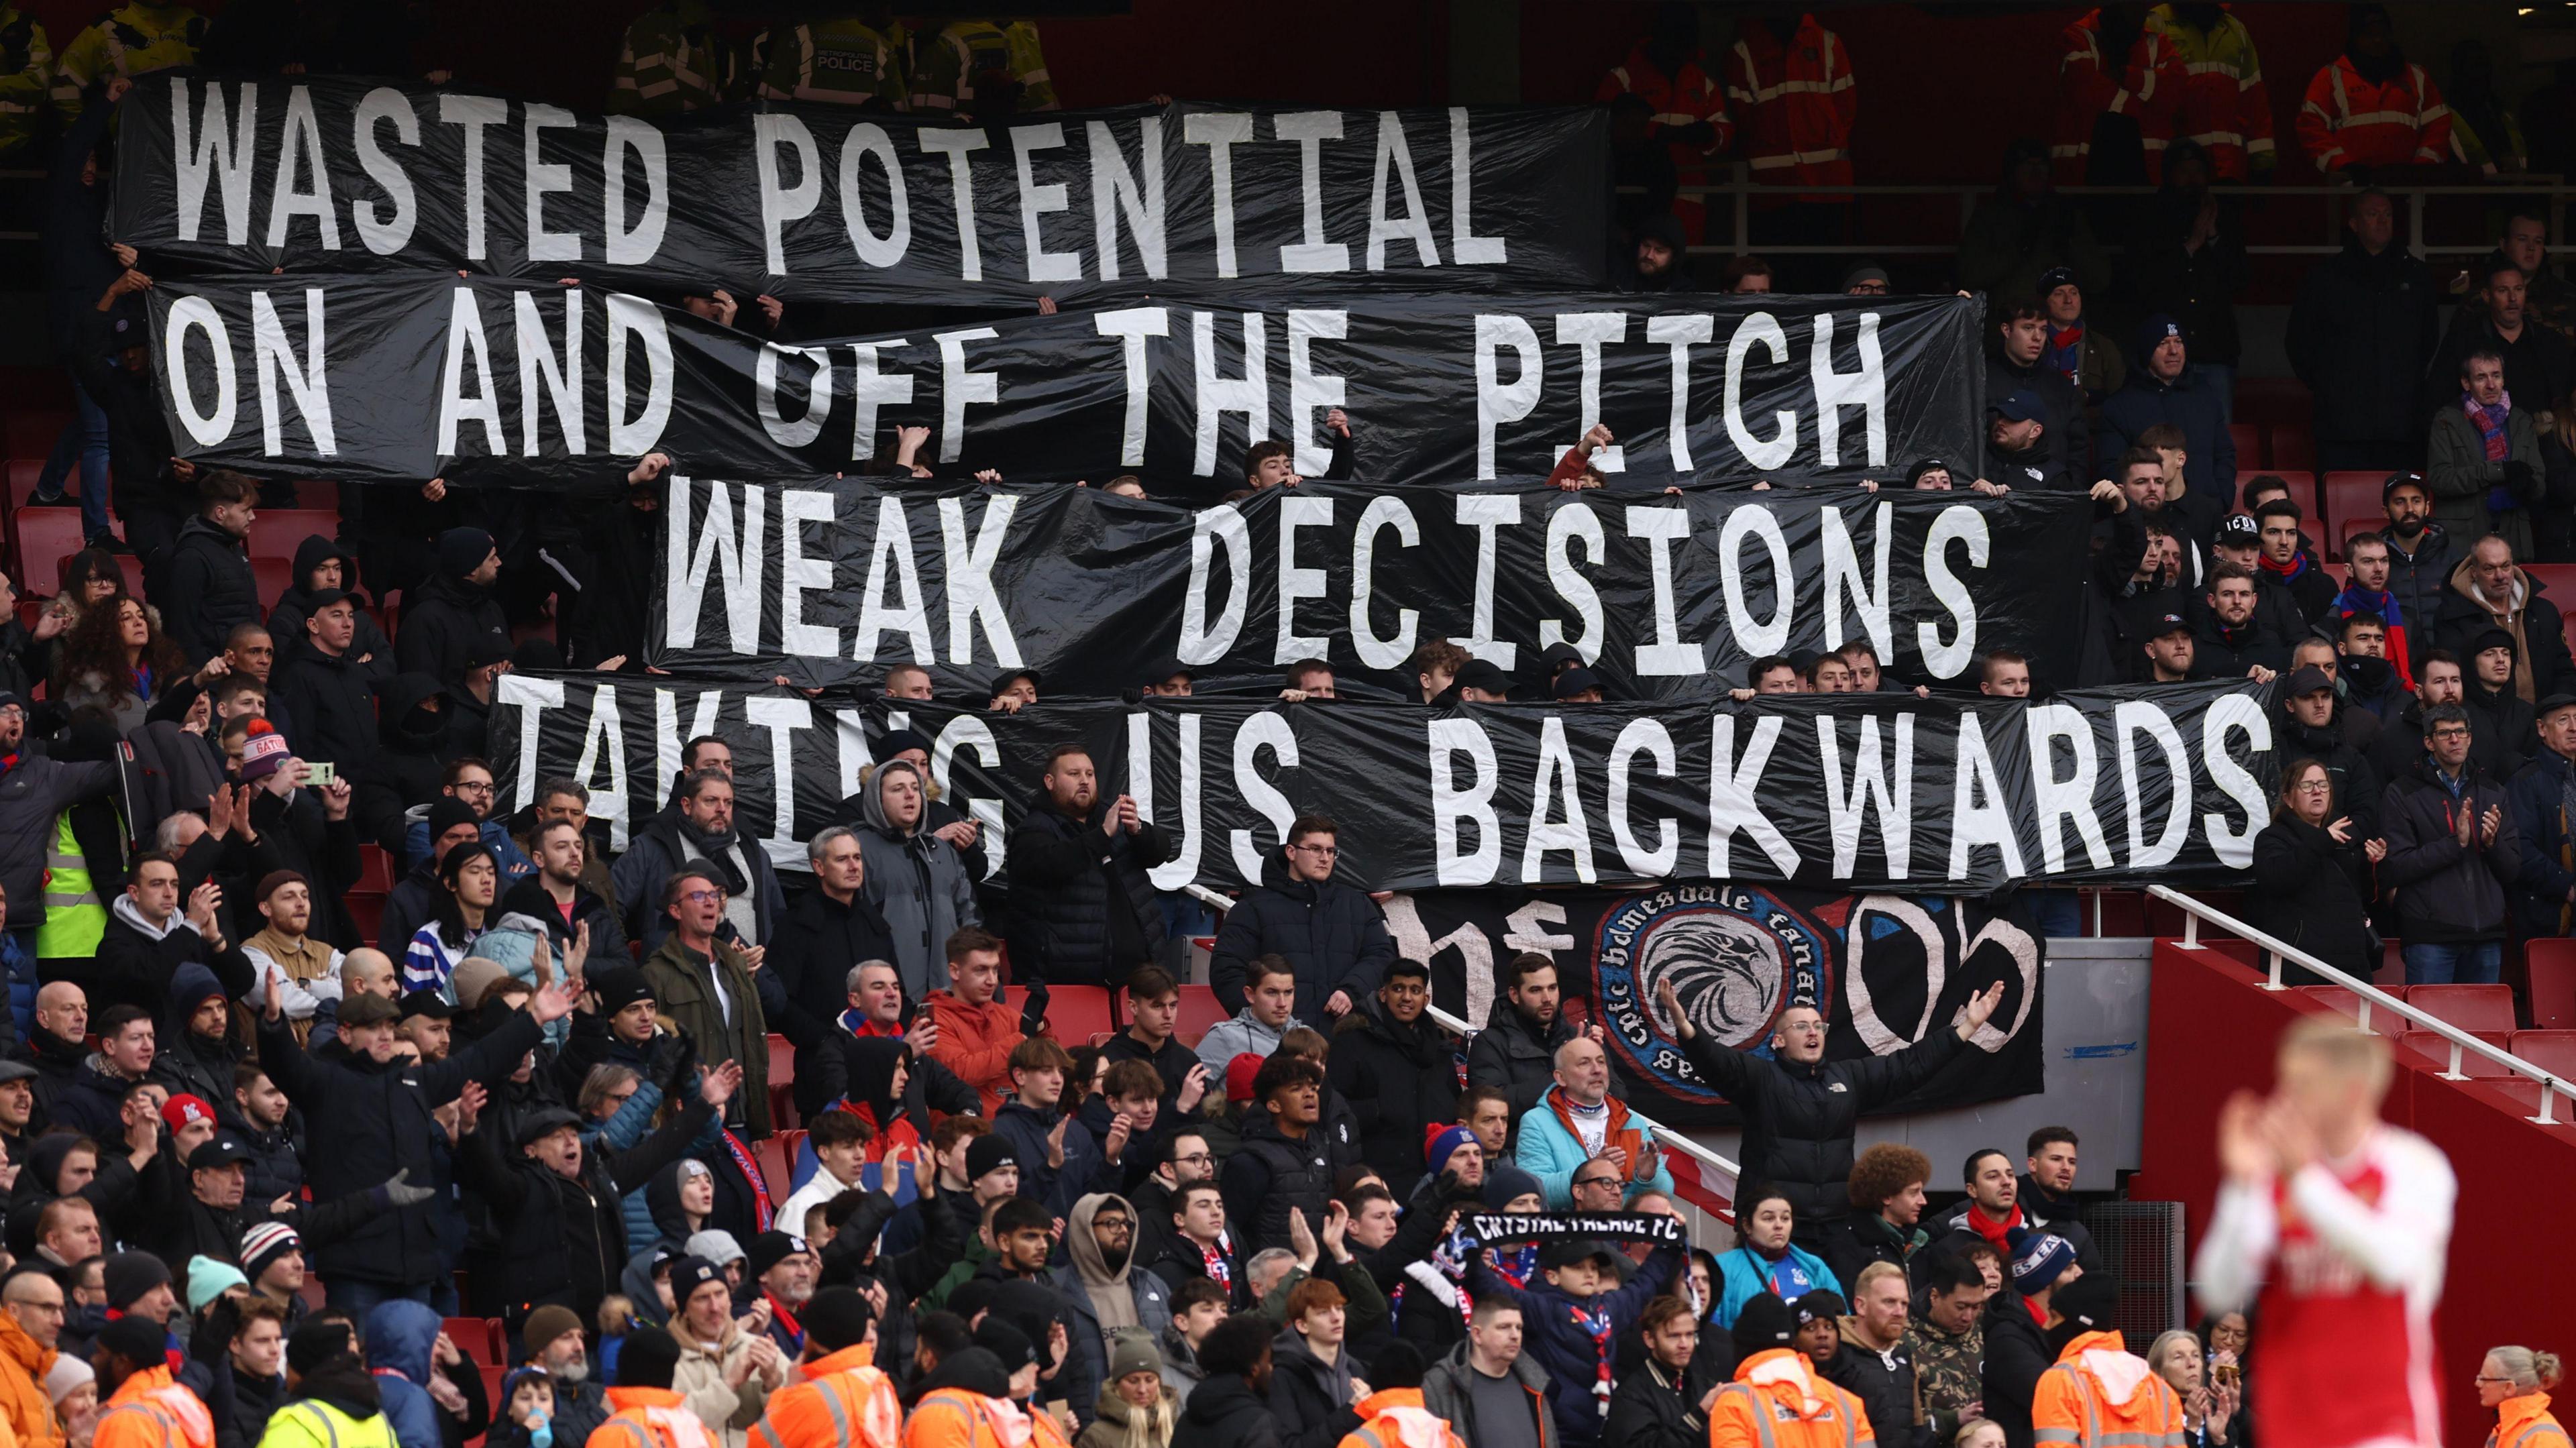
{"points": [[1799, 1119]]}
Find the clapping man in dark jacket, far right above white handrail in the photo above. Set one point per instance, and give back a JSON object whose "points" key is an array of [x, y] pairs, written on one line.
{"points": [[2451, 852]]}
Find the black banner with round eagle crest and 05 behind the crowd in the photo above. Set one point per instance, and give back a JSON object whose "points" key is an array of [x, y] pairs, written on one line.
{"points": [[1887, 970]]}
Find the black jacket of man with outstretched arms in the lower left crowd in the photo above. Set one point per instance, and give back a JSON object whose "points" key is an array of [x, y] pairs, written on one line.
{"points": [[370, 1122]]}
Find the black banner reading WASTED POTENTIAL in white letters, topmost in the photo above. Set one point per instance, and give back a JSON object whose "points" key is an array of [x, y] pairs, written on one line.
{"points": [[826, 205]]}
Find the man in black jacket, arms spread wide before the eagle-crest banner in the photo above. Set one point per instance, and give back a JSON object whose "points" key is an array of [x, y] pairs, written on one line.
{"points": [[1799, 1112]]}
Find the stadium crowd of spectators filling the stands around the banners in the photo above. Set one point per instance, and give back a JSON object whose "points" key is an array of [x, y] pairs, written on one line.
{"points": [[509, 1163]]}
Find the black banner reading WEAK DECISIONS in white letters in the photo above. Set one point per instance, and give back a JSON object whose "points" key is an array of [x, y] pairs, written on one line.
{"points": [[1668, 599]]}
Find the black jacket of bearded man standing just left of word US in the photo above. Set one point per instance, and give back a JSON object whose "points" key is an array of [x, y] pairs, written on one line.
{"points": [[1081, 903]]}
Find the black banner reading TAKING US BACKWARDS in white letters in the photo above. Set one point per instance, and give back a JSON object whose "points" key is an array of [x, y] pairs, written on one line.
{"points": [[1951, 795]]}
